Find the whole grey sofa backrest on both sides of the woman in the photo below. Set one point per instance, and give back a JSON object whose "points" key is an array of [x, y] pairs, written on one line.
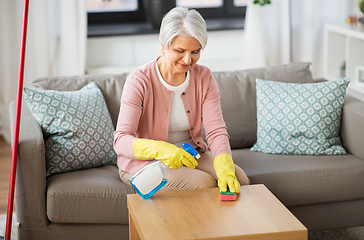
{"points": [[237, 90]]}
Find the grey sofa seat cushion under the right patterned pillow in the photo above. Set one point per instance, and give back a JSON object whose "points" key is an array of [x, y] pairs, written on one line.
{"points": [[298, 180]]}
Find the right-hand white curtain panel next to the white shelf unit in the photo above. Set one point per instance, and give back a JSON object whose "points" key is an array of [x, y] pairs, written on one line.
{"points": [[308, 21]]}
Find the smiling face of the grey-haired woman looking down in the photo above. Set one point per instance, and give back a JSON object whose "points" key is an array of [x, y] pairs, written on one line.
{"points": [[182, 55]]}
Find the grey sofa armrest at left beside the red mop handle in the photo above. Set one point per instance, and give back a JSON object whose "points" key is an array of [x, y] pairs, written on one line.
{"points": [[30, 184]]}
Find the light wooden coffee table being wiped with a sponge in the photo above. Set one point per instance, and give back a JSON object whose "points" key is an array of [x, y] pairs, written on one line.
{"points": [[199, 214]]}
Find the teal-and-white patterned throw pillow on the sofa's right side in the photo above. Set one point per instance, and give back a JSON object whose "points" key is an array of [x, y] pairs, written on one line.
{"points": [[299, 119]]}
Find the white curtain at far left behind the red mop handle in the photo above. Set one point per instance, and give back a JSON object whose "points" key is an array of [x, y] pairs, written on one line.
{"points": [[56, 45]]}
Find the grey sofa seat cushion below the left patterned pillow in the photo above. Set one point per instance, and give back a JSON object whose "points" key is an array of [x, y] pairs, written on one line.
{"points": [[88, 196]]}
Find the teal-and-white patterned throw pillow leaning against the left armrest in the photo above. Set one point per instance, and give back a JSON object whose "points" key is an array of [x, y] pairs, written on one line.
{"points": [[77, 128]]}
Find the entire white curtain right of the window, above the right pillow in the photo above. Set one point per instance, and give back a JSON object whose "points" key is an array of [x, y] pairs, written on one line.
{"points": [[291, 23]]}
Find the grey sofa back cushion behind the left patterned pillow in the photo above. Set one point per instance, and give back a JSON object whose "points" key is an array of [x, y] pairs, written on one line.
{"points": [[111, 86]]}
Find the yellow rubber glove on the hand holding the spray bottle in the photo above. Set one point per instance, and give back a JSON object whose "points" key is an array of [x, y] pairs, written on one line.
{"points": [[169, 154]]}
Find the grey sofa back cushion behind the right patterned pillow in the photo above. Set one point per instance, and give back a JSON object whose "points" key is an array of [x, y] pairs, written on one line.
{"points": [[238, 98]]}
